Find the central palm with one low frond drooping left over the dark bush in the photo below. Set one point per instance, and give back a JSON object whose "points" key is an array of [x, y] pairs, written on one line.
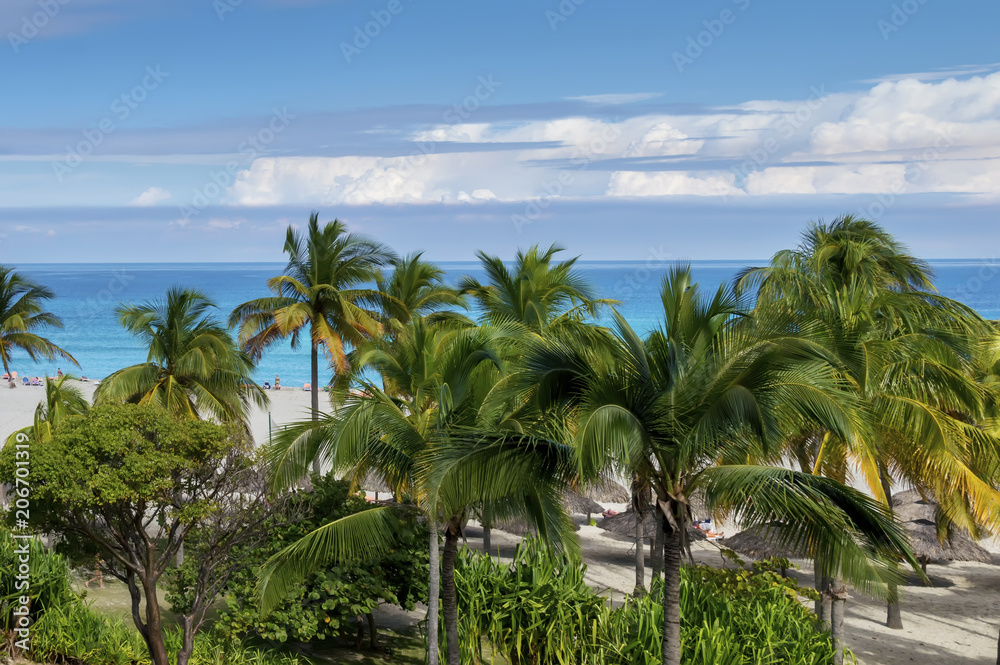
{"points": [[437, 377]]}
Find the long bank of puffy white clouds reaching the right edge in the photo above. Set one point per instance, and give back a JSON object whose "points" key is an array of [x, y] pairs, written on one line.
{"points": [[900, 136]]}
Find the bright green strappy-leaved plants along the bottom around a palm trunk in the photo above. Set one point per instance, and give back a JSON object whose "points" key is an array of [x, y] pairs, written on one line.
{"points": [[538, 609]]}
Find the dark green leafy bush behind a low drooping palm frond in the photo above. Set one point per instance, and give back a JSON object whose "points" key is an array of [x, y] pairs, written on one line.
{"points": [[329, 600]]}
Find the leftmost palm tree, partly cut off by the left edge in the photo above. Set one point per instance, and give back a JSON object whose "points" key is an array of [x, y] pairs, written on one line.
{"points": [[22, 313]]}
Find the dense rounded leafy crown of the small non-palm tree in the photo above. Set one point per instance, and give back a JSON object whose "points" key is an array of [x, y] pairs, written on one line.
{"points": [[117, 462]]}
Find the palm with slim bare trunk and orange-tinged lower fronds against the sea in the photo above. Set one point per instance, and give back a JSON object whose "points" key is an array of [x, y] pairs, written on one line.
{"points": [[323, 290]]}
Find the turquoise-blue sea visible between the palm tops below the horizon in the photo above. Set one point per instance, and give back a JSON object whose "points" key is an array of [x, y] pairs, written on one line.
{"points": [[86, 295]]}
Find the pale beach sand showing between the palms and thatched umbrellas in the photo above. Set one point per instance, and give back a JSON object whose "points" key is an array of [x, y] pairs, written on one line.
{"points": [[955, 621]]}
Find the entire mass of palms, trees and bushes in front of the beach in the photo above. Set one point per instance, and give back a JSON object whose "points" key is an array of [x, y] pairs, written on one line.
{"points": [[496, 398]]}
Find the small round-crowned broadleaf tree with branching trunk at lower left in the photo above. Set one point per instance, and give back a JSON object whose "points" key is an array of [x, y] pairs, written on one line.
{"points": [[130, 484]]}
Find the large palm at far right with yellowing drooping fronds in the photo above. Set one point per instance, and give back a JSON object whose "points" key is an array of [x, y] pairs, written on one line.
{"points": [[907, 353]]}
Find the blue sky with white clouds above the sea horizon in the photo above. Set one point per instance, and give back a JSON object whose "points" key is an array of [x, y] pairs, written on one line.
{"points": [[197, 130]]}
